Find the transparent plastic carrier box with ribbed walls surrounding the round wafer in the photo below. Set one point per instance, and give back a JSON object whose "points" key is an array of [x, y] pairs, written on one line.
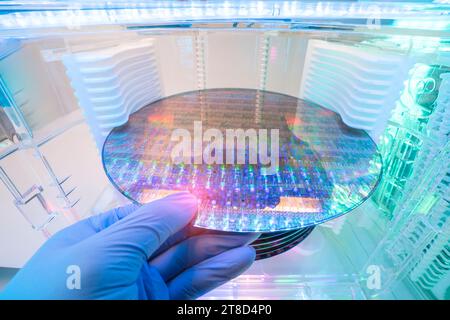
{"points": [[383, 67]]}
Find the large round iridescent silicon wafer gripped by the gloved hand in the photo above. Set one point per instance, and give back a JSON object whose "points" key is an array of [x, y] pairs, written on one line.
{"points": [[325, 168]]}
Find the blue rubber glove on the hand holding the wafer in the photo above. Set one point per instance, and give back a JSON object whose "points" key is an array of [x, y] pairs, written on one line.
{"points": [[146, 252]]}
